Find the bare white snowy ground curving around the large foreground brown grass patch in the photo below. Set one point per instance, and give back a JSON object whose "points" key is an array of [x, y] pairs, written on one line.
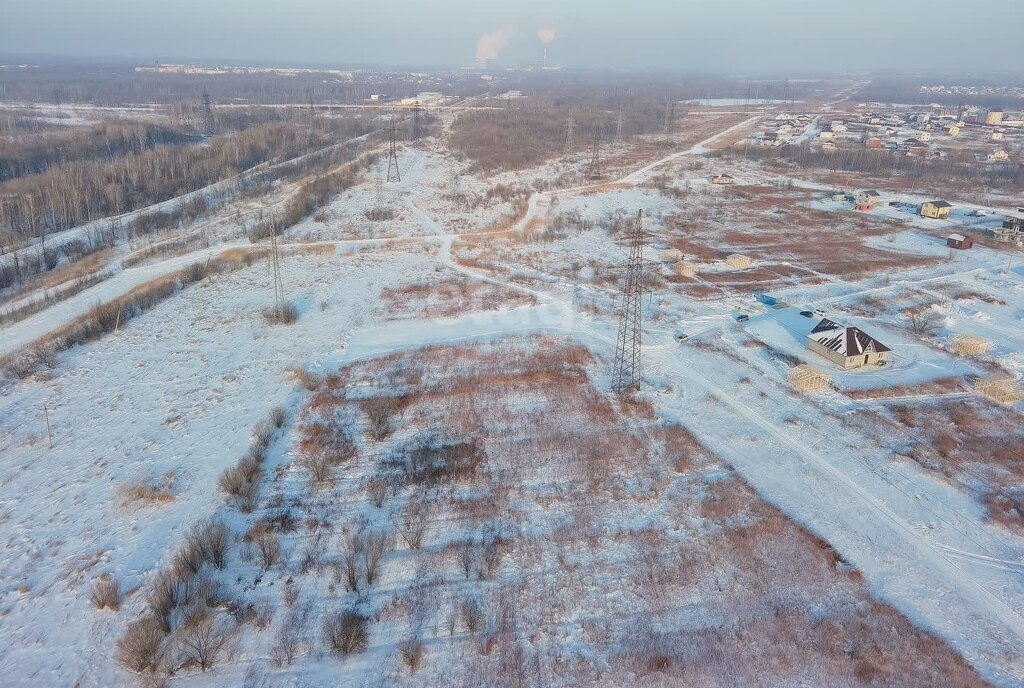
{"points": [[179, 390]]}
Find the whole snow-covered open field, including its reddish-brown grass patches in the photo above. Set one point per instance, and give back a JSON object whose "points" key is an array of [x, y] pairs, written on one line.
{"points": [[170, 402]]}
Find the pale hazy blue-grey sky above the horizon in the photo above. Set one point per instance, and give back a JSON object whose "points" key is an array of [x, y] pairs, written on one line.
{"points": [[717, 35]]}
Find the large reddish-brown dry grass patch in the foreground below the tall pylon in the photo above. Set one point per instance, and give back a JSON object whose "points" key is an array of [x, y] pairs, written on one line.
{"points": [[634, 520]]}
